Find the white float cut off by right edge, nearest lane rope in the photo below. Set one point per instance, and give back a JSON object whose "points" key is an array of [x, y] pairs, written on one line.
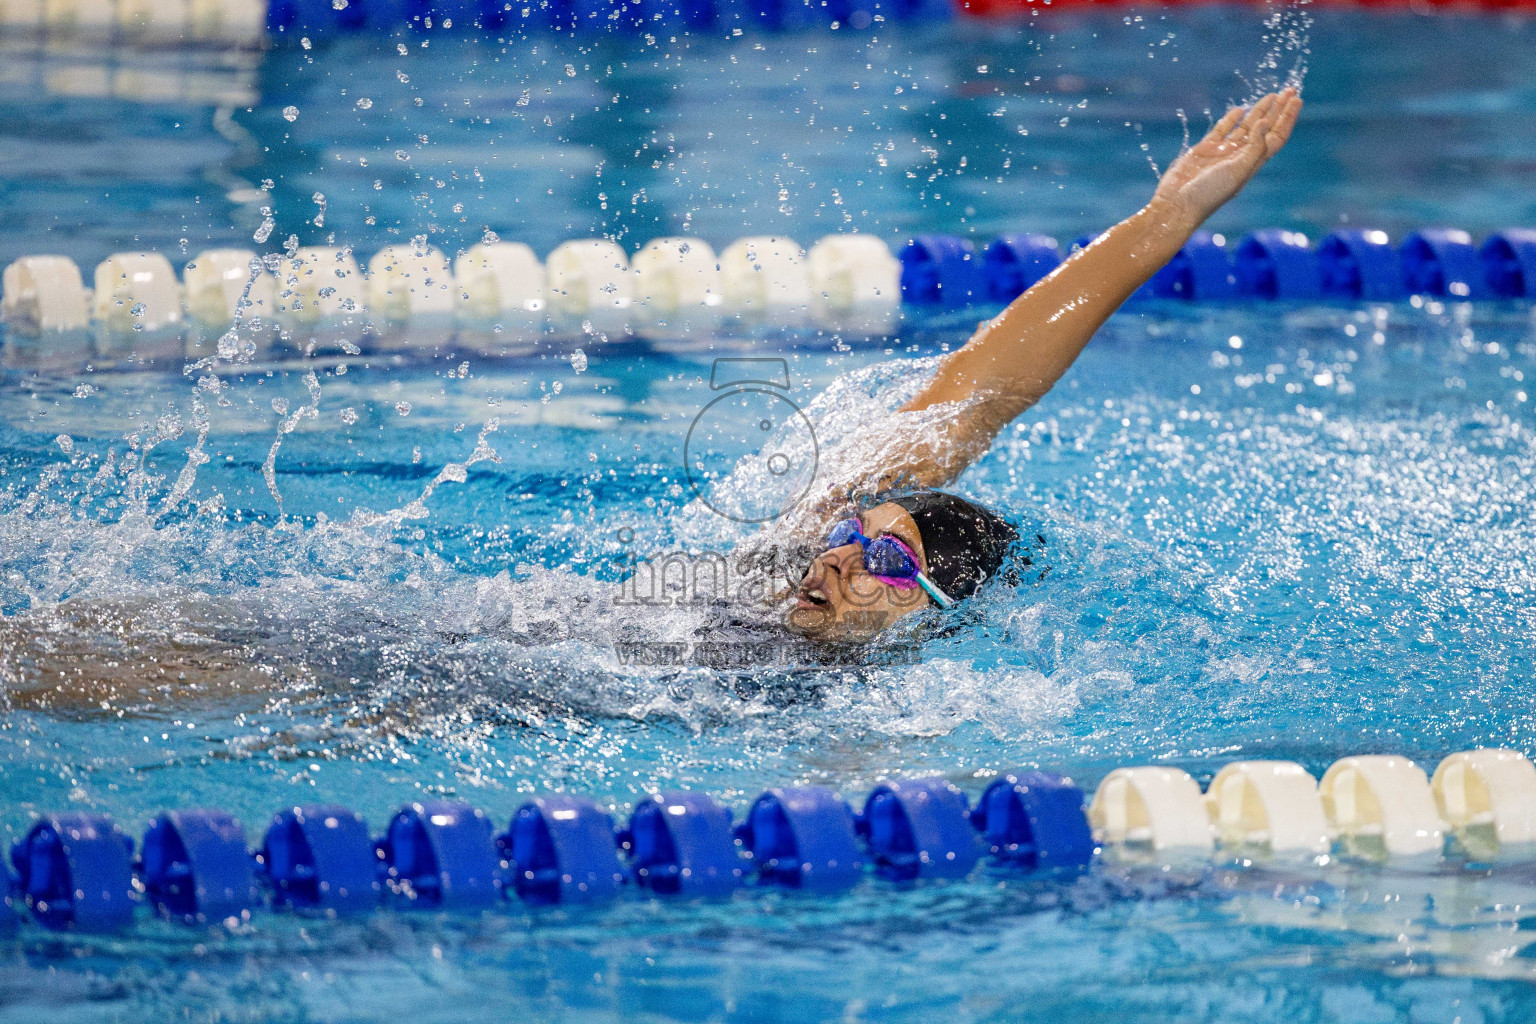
{"points": [[1489, 801]]}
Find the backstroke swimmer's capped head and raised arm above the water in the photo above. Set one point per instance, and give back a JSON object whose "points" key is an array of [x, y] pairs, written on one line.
{"points": [[912, 547]]}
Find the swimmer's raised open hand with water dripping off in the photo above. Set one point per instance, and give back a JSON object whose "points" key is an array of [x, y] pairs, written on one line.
{"points": [[1217, 168]]}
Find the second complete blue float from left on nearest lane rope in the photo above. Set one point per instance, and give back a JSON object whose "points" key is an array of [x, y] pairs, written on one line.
{"points": [[196, 868]]}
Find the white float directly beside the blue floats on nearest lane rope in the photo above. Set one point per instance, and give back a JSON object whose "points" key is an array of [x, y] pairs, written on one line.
{"points": [[1156, 811]]}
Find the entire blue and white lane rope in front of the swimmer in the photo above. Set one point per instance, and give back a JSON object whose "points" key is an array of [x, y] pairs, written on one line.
{"points": [[76, 871]]}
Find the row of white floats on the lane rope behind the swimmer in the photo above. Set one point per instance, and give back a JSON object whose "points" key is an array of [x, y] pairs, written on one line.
{"points": [[494, 297]]}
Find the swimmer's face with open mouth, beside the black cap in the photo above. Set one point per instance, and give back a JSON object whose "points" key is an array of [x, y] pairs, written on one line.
{"points": [[841, 601]]}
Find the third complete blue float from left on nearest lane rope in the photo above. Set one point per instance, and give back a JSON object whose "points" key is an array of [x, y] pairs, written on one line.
{"points": [[320, 859]]}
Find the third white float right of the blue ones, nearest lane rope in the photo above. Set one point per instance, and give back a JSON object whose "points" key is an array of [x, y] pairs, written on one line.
{"points": [[1382, 808]]}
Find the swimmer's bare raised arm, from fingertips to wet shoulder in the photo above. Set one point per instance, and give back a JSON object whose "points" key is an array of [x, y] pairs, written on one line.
{"points": [[1016, 358]]}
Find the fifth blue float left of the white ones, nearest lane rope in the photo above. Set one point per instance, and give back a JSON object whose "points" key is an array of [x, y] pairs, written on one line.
{"points": [[563, 850]]}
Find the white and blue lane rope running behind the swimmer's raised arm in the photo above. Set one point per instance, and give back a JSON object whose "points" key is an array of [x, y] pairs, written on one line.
{"points": [[320, 297]]}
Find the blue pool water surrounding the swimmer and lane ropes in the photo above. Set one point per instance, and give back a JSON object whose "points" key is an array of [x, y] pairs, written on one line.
{"points": [[1273, 532]]}
